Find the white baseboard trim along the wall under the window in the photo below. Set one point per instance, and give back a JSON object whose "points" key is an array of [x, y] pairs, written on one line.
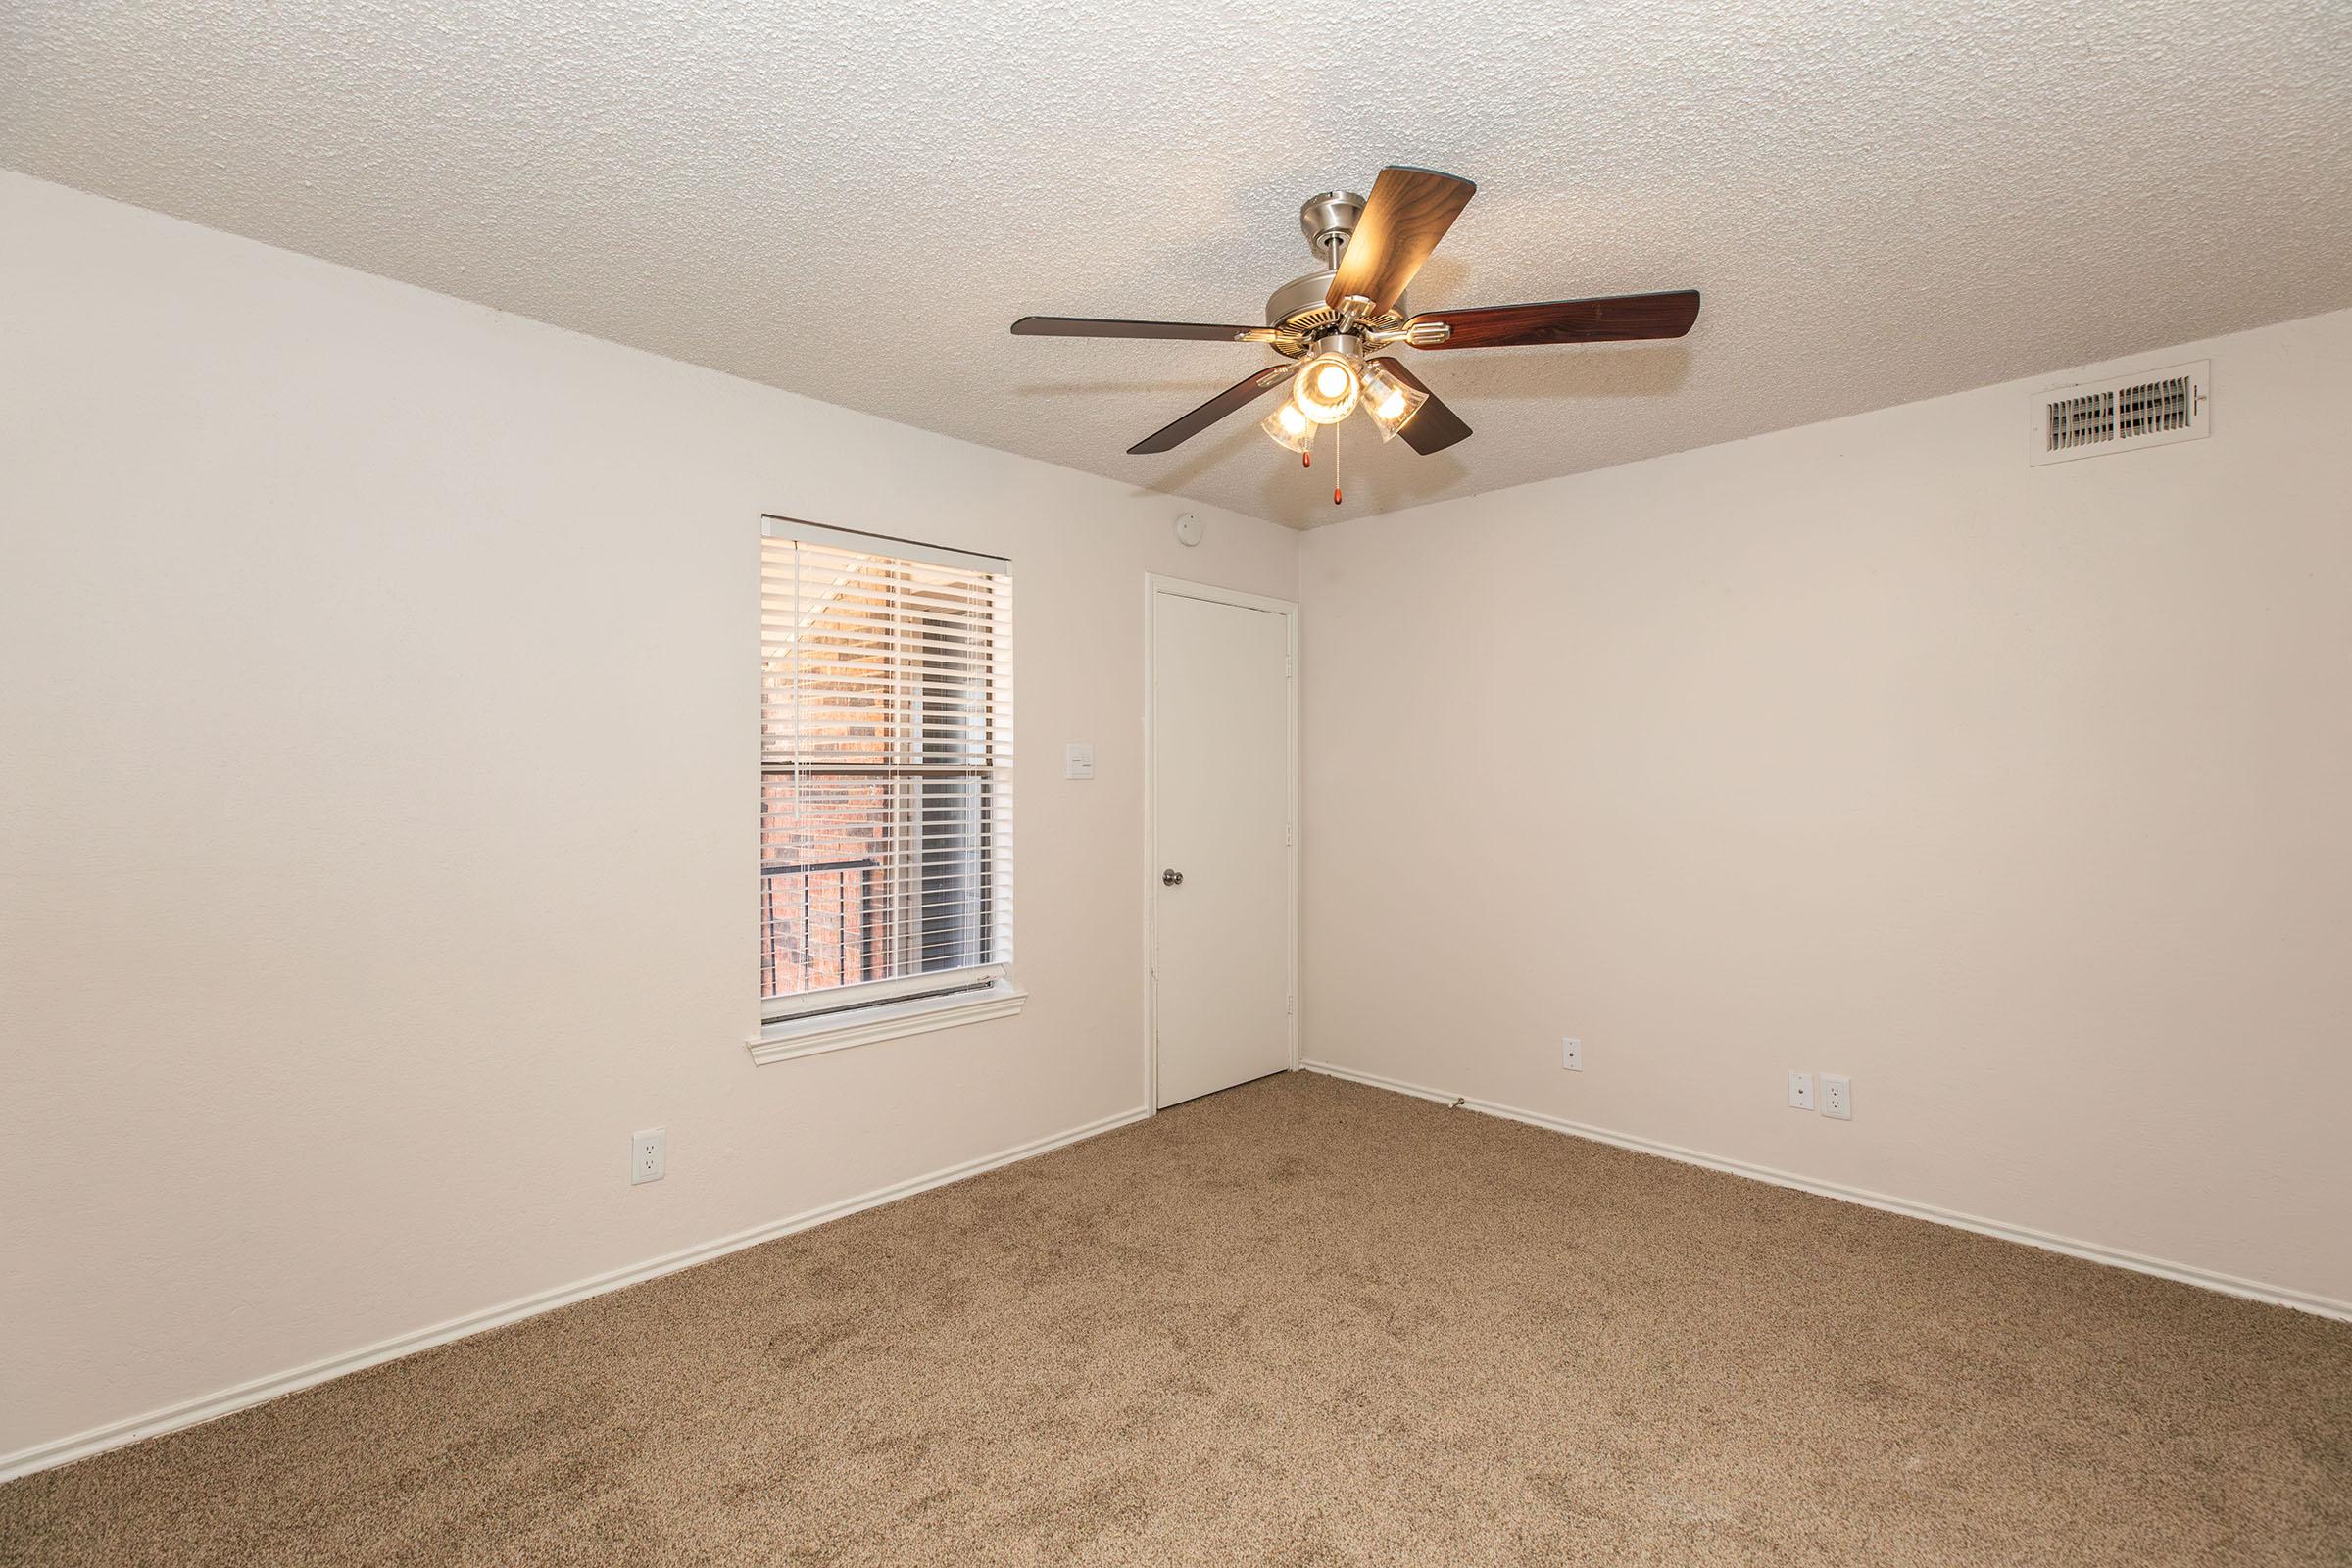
{"points": [[260, 1391]]}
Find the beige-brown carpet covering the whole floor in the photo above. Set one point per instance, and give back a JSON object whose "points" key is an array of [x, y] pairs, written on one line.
{"points": [[1299, 1322]]}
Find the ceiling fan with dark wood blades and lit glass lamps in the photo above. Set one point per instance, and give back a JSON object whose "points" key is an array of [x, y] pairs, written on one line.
{"points": [[1335, 326]]}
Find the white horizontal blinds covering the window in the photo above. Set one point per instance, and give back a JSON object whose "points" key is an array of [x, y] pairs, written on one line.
{"points": [[886, 751]]}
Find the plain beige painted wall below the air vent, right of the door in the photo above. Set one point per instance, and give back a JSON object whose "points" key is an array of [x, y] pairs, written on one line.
{"points": [[2019, 793]]}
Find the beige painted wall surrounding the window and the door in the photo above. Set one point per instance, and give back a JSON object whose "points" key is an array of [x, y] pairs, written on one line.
{"points": [[377, 808]]}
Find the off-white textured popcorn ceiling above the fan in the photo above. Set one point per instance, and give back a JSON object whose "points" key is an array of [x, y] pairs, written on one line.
{"points": [[855, 201]]}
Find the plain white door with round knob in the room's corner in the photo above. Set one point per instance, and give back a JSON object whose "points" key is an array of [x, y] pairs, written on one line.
{"points": [[1222, 836]]}
